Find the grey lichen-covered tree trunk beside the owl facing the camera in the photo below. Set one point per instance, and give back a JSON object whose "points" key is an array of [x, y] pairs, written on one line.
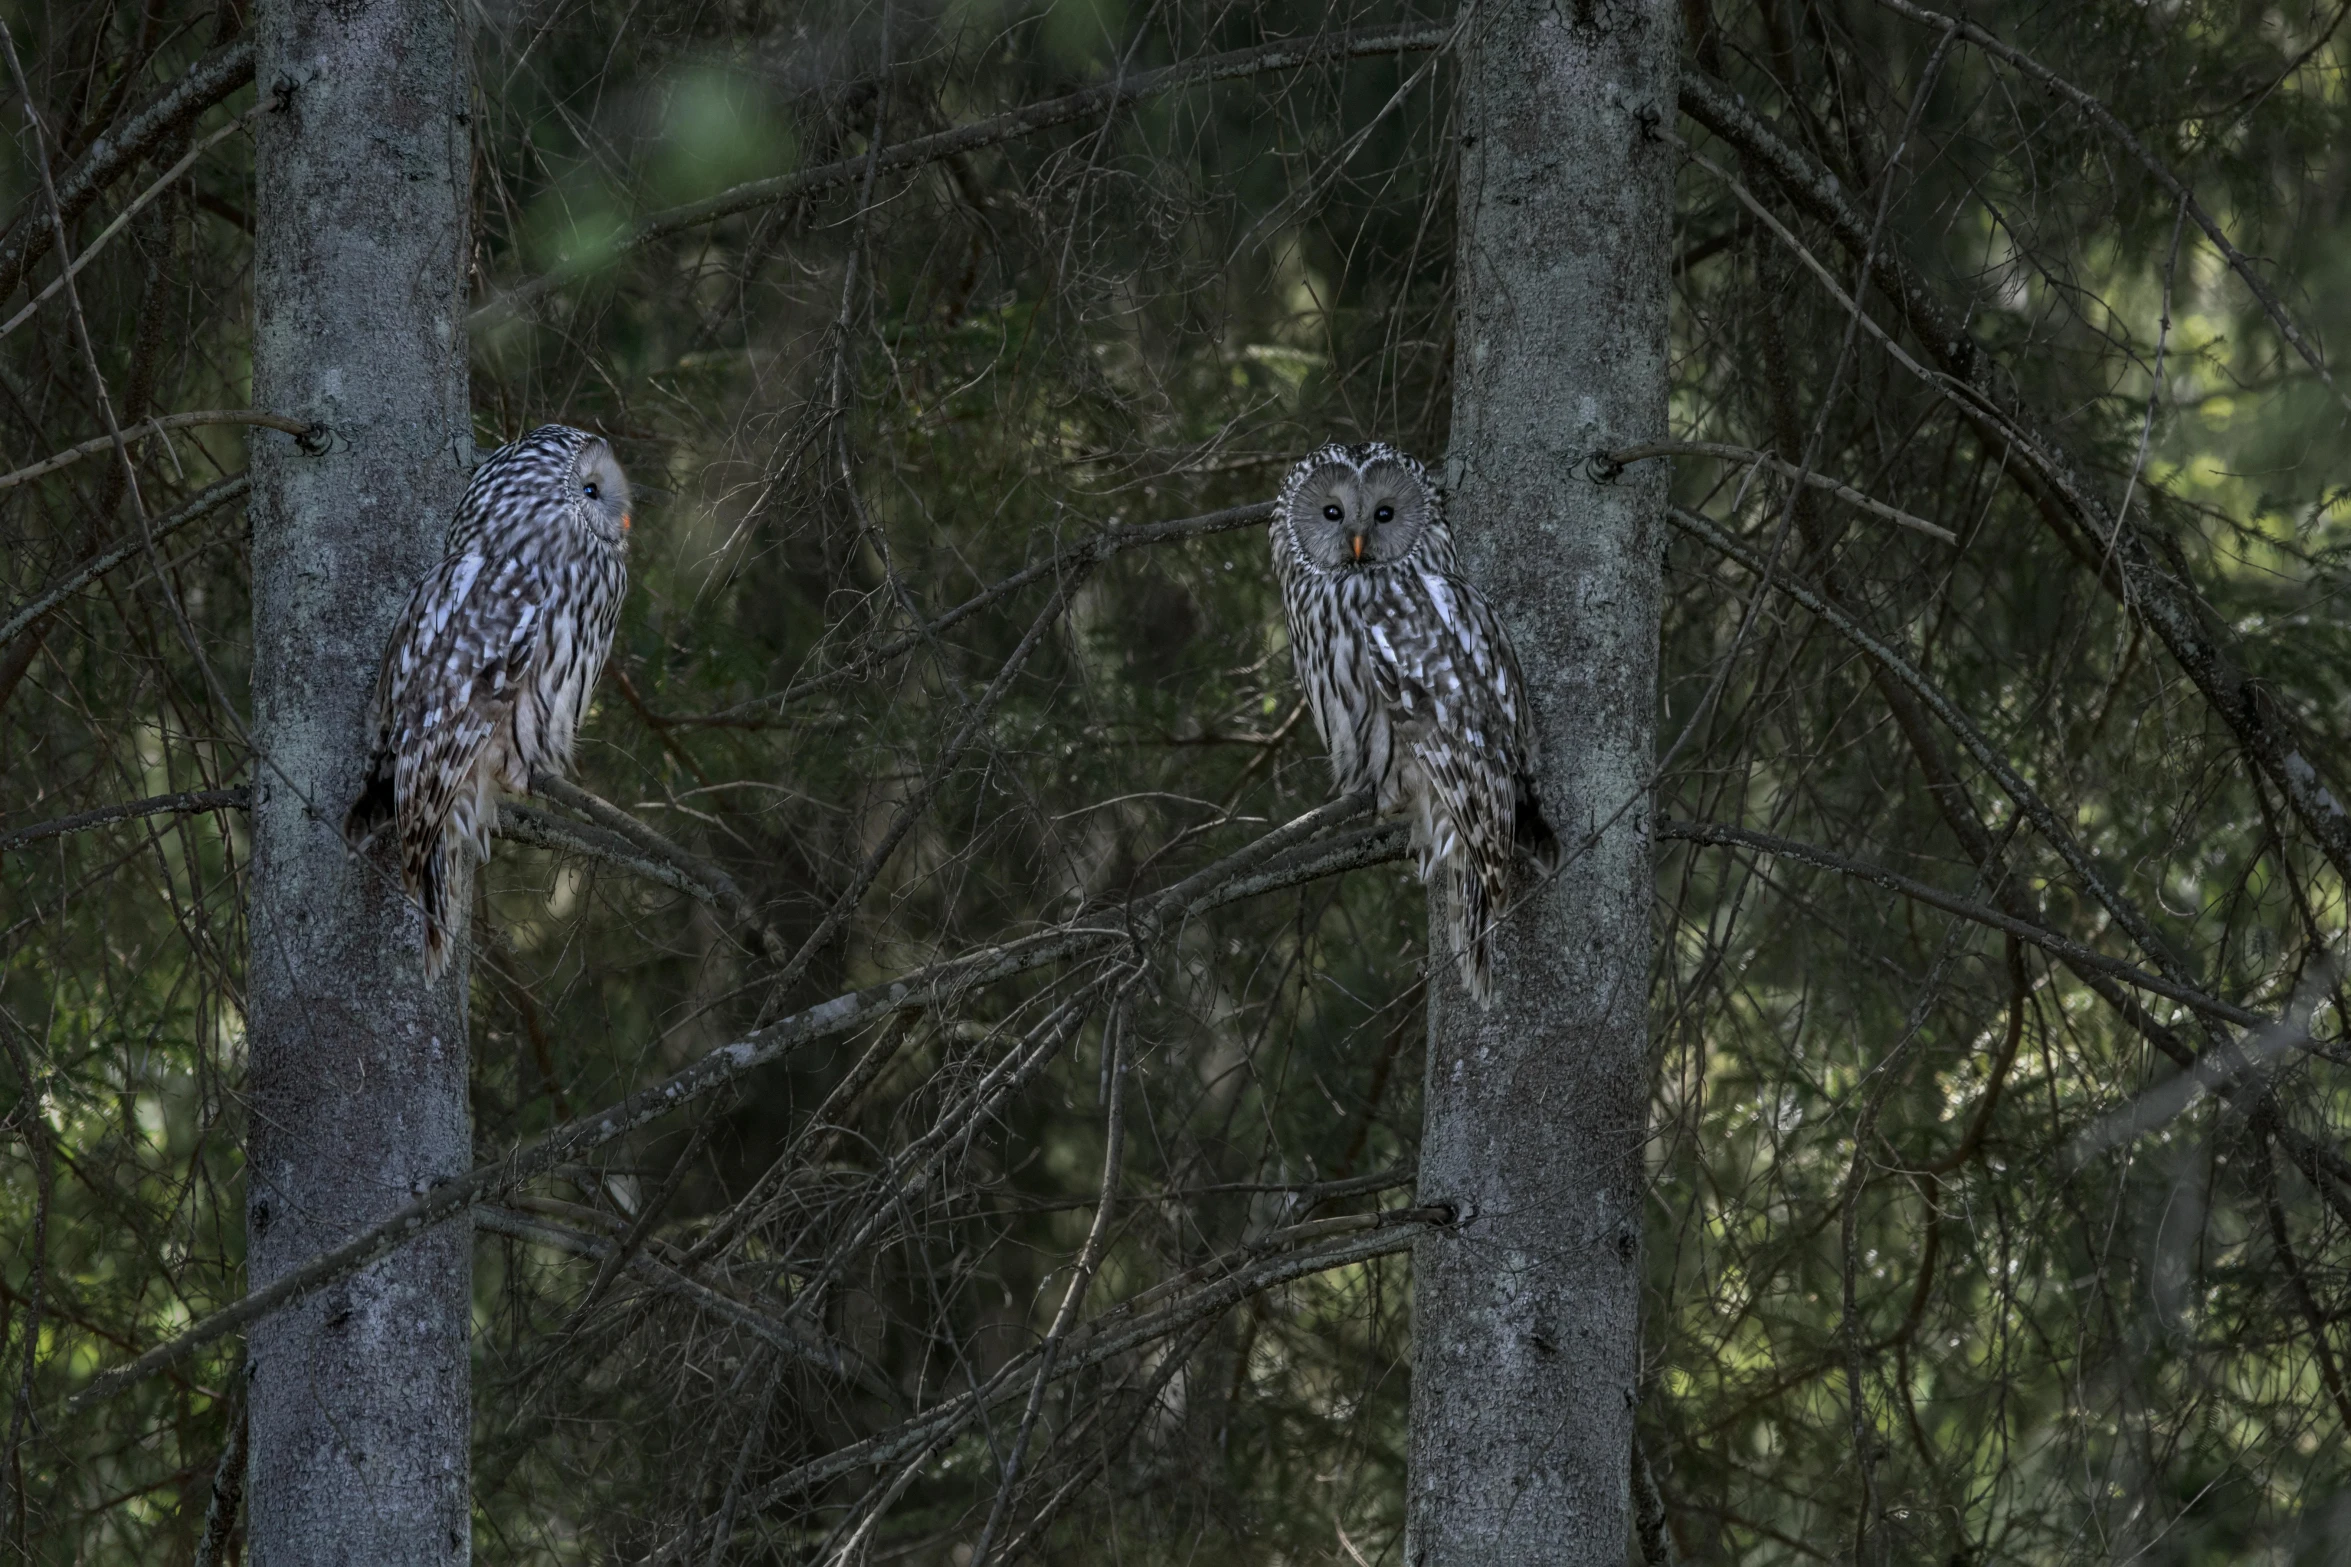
{"points": [[1527, 1312]]}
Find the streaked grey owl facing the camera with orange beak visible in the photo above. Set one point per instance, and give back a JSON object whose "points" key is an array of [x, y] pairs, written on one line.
{"points": [[1412, 682]]}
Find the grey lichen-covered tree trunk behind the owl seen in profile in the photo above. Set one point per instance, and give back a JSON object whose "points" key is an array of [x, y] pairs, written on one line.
{"points": [[359, 1448]]}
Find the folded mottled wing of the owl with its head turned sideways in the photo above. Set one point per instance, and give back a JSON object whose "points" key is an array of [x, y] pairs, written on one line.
{"points": [[450, 675]]}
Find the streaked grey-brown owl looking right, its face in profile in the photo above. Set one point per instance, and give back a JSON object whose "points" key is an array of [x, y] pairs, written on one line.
{"points": [[493, 659]]}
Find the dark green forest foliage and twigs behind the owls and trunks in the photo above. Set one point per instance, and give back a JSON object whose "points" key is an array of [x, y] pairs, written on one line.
{"points": [[1950, 1258]]}
